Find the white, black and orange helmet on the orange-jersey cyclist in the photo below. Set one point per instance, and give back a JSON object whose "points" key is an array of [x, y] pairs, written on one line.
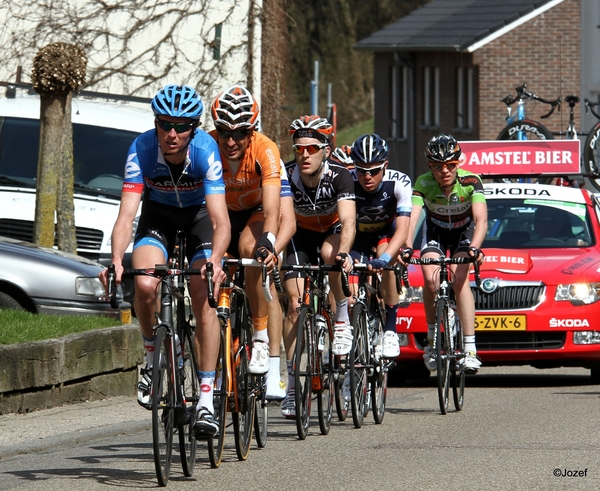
{"points": [[235, 108]]}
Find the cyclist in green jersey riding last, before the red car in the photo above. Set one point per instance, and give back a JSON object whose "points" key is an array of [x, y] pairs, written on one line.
{"points": [[455, 221]]}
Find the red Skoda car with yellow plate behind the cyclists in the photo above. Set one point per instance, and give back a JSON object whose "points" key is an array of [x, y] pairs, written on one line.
{"points": [[540, 291]]}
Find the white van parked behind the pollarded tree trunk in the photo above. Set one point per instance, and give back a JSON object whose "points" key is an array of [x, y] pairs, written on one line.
{"points": [[102, 133]]}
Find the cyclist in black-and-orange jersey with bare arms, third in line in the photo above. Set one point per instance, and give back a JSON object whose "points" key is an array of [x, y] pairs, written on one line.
{"points": [[323, 194]]}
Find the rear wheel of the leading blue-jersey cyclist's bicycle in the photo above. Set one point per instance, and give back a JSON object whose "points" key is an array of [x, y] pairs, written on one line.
{"points": [[188, 380]]}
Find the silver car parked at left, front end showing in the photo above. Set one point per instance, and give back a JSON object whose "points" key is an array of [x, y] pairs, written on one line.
{"points": [[45, 280]]}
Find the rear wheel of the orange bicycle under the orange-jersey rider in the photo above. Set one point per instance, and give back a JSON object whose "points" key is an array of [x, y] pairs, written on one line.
{"points": [[243, 418]]}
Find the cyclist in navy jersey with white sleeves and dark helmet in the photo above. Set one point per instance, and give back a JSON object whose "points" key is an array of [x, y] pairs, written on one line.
{"points": [[383, 206]]}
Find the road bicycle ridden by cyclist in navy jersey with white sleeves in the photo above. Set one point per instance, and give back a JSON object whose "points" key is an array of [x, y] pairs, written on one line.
{"points": [[367, 369]]}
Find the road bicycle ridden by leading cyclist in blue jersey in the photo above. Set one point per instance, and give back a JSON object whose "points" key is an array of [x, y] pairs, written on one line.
{"points": [[175, 386]]}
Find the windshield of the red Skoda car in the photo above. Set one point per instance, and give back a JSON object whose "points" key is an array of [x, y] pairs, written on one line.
{"points": [[530, 223]]}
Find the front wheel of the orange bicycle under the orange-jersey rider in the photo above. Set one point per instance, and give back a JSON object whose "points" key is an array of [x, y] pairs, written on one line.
{"points": [[217, 442]]}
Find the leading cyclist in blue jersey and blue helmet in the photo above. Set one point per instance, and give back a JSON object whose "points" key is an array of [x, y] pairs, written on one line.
{"points": [[175, 171]]}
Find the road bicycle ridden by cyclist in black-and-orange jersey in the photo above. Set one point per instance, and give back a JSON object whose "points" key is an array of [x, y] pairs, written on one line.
{"points": [[314, 366]]}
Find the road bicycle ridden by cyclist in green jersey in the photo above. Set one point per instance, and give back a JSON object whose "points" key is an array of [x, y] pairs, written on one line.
{"points": [[448, 341]]}
